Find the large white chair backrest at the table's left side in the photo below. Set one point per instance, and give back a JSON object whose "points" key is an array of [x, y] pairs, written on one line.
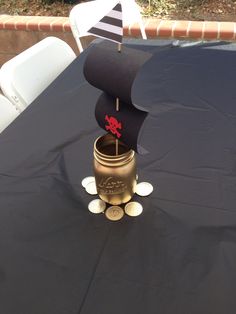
{"points": [[25, 76]]}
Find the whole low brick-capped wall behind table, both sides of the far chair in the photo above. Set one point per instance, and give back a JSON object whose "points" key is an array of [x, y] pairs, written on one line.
{"points": [[20, 32]]}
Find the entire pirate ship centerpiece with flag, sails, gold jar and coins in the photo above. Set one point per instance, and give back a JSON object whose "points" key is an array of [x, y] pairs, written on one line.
{"points": [[113, 71]]}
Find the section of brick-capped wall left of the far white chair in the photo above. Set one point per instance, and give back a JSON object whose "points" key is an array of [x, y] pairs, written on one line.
{"points": [[18, 33]]}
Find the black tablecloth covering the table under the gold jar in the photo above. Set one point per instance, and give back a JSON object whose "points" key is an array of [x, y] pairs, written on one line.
{"points": [[179, 255]]}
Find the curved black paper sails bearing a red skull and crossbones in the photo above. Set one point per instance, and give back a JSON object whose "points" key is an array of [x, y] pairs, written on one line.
{"points": [[114, 72]]}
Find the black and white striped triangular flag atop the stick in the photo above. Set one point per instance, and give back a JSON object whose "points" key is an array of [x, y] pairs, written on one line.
{"points": [[110, 26]]}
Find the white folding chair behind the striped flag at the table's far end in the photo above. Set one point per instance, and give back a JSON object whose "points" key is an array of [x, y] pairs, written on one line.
{"points": [[84, 15]]}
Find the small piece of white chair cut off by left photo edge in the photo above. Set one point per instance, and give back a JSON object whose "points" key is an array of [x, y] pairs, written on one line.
{"points": [[8, 112]]}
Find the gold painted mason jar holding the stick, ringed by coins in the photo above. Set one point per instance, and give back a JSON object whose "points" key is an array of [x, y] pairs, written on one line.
{"points": [[115, 175]]}
